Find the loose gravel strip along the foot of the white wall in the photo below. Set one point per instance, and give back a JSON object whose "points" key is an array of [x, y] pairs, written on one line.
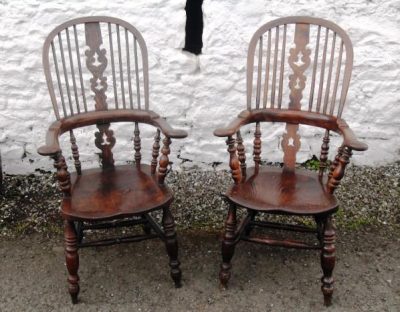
{"points": [[368, 196]]}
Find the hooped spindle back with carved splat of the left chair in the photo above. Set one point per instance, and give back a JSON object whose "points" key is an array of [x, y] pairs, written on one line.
{"points": [[98, 63]]}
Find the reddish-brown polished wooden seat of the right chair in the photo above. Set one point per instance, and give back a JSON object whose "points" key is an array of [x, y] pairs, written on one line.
{"points": [[274, 190]]}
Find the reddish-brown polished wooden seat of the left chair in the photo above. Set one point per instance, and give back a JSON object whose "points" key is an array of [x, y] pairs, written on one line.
{"points": [[121, 191]]}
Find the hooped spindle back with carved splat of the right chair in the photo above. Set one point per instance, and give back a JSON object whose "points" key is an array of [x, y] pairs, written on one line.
{"points": [[314, 57]]}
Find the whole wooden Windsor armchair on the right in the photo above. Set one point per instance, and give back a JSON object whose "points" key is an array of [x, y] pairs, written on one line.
{"points": [[313, 100]]}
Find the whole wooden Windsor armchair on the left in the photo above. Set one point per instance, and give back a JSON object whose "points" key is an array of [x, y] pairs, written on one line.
{"points": [[99, 94]]}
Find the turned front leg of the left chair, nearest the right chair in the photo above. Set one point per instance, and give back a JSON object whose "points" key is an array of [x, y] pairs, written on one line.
{"points": [[171, 244]]}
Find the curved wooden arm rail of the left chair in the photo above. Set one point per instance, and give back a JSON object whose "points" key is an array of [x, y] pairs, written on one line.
{"points": [[52, 146]]}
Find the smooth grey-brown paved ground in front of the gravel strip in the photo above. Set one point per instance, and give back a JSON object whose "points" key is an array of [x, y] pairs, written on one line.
{"points": [[134, 277]]}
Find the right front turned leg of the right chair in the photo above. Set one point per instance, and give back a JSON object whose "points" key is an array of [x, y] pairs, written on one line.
{"points": [[328, 260]]}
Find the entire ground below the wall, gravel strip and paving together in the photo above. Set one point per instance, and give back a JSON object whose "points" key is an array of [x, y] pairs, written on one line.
{"points": [[135, 277]]}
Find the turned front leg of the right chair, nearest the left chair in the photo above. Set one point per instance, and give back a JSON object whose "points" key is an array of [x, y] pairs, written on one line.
{"points": [[228, 246]]}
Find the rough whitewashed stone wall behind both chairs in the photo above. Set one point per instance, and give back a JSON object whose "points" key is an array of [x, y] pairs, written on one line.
{"points": [[197, 93]]}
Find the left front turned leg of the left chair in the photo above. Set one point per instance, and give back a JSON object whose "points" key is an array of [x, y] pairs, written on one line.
{"points": [[72, 259]]}
